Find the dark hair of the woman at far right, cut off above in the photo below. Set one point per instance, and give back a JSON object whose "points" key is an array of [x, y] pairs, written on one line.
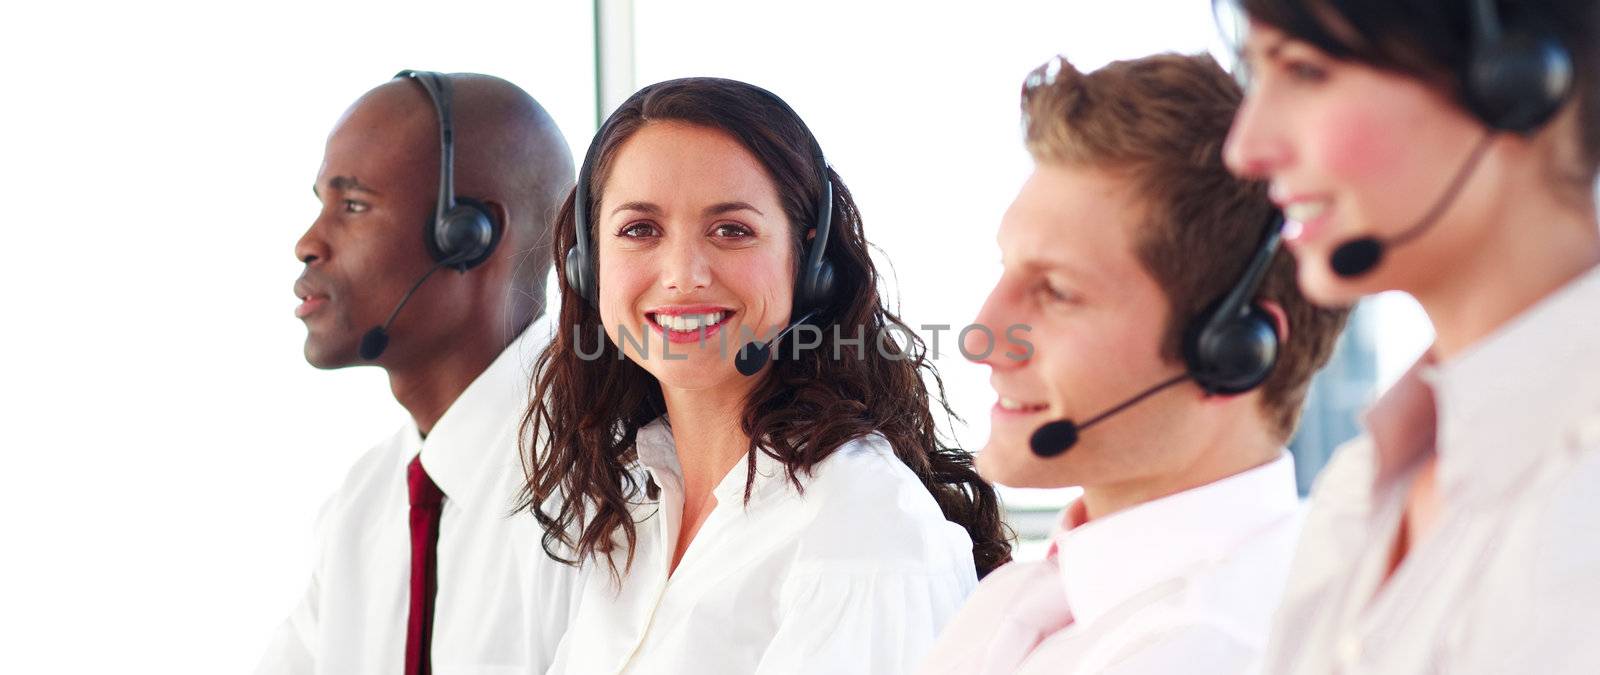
{"points": [[1433, 42]]}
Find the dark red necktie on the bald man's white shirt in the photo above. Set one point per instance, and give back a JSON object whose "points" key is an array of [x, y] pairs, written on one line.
{"points": [[426, 503]]}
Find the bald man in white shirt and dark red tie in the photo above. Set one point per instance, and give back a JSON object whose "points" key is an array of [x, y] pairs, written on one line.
{"points": [[422, 567]]}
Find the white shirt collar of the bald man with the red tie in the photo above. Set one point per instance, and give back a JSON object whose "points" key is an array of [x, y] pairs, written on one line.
{"points": [[465, 453]]}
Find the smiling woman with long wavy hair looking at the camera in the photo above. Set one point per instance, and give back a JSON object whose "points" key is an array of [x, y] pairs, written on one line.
{"points": [[804, 519]]}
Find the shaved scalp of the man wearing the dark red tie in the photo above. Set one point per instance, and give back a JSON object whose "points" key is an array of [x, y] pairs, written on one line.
{"points": [[510, 153]]}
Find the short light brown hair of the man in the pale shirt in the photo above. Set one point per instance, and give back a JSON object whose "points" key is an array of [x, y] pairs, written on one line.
{"points": [[1161, 122]]}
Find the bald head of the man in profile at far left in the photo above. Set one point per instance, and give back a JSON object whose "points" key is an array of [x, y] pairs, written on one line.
{"points": [[378, 186]]}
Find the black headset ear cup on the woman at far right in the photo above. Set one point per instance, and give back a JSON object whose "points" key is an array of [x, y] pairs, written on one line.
{"points": [[1519, 74]]}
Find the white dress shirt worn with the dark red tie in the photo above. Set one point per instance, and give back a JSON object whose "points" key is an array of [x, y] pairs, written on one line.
{"points": [[502, 604]]}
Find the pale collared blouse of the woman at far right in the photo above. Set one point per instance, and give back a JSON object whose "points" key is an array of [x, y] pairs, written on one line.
{"points": [[1510, 578]]}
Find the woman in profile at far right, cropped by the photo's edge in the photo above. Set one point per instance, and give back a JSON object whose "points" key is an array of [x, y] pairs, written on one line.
{"points": [[1446, 150]]}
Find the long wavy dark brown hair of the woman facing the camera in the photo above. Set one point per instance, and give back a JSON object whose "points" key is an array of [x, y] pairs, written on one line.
{"points": [[590, 410]]}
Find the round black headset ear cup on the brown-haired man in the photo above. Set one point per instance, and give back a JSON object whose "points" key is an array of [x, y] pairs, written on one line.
{"points": [[1236, 356]]}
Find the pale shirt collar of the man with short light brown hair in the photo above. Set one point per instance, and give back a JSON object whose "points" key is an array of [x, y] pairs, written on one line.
{"points": [[1106, 562]]}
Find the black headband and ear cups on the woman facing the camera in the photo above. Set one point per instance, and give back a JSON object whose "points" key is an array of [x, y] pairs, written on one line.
{"points": [[815, 282]]}
